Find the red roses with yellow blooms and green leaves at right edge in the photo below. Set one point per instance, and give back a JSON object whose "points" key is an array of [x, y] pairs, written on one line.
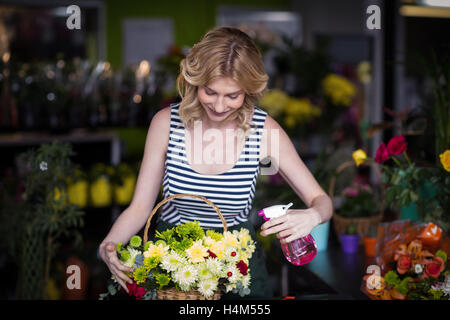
{"points": [[409, 186]]}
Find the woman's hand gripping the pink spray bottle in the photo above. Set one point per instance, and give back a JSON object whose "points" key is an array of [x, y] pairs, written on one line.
{"points": [[295, 224]]}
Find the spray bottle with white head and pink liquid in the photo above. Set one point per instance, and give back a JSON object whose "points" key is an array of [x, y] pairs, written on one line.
{"points": [[298, 252]]}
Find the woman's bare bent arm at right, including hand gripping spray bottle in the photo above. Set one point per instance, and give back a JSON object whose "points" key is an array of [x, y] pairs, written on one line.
{"points": [[297, 223]]}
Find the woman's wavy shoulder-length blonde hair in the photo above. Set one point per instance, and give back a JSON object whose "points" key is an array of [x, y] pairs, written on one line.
{"points": [[222, 52]]}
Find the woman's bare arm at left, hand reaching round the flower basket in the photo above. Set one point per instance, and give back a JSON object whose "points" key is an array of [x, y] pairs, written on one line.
{"points": [[147, 189]]}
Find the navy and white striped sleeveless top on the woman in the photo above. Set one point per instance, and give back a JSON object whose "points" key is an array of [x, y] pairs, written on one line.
{"points": [[232, 191]]}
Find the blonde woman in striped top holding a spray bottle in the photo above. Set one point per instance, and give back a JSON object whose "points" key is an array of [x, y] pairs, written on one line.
{"points": [[220, 82]]}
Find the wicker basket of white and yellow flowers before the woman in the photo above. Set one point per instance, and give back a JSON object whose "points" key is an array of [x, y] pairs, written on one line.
{"points": [[186, 262]]}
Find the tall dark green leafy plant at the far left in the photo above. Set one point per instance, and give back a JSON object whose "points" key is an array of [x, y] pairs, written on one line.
{"points": [[49, 217]]}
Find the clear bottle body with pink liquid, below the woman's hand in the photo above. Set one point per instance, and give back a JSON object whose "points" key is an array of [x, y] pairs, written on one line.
{"points": [[300, 251]]}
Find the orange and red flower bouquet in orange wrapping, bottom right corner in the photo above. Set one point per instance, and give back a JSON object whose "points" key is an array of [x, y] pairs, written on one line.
{"points": [[414, 263]]}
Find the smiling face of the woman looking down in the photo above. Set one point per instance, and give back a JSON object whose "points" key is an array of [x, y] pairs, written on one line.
{"points": [[220, 98]]}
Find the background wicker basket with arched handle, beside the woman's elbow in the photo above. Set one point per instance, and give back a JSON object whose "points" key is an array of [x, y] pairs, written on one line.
{"points": [[363, 224]]}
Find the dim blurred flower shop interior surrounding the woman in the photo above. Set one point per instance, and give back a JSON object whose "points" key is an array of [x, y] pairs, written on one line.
{"points": [[362, 89]]}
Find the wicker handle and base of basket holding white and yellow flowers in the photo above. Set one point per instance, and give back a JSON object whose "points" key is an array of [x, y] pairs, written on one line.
{"points": [[172, 293]]}
